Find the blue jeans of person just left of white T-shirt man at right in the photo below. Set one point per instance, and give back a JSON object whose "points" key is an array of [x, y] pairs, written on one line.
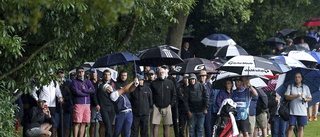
{"points": [[278, 127]]}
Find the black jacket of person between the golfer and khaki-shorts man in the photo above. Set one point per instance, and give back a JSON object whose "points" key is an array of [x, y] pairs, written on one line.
{"points": [[141, 100]]}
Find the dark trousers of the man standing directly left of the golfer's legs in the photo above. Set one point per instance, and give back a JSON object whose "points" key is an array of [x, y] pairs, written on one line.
{"points": [[107, 115]]}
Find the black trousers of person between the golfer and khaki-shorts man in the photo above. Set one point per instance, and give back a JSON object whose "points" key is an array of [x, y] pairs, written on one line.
{"points": [[142, 123]]}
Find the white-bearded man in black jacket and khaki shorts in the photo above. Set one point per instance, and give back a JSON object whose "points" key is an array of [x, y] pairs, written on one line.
{"points": [[163, 93]]}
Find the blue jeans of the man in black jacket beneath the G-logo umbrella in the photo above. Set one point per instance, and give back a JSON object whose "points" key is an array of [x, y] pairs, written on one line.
{"points": [[196, 124]]}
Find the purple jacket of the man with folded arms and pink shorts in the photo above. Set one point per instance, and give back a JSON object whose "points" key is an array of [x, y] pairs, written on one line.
{"points": [[81, 91]]}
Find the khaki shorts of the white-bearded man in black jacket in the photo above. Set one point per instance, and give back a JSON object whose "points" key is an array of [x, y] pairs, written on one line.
{"points": [[164, 113]]}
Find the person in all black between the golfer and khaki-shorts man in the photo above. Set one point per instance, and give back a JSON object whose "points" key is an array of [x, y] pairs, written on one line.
{"points": [[141, 101]]}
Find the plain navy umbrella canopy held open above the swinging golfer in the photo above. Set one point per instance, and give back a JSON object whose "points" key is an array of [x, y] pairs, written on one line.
{"points": [[120, 58]]}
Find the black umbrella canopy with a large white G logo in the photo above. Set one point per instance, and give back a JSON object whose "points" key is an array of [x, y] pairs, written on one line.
{"points": [[195, 65]]}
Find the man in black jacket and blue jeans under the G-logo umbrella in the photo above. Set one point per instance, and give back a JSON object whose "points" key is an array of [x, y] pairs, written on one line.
{"points": [[196, 98]]}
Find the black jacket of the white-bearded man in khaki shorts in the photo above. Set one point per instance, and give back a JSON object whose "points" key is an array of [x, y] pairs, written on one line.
{"points": [[163, 92]]}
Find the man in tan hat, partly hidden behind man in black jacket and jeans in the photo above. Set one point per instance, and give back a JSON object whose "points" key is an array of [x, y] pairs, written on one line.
{"points": [[208, 117]]}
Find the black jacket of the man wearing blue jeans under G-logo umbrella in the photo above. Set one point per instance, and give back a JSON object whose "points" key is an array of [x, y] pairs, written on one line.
{"points": [[196, 98]]}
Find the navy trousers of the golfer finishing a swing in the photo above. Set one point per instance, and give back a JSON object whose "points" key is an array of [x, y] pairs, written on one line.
{"points": [[123, 124]]}
